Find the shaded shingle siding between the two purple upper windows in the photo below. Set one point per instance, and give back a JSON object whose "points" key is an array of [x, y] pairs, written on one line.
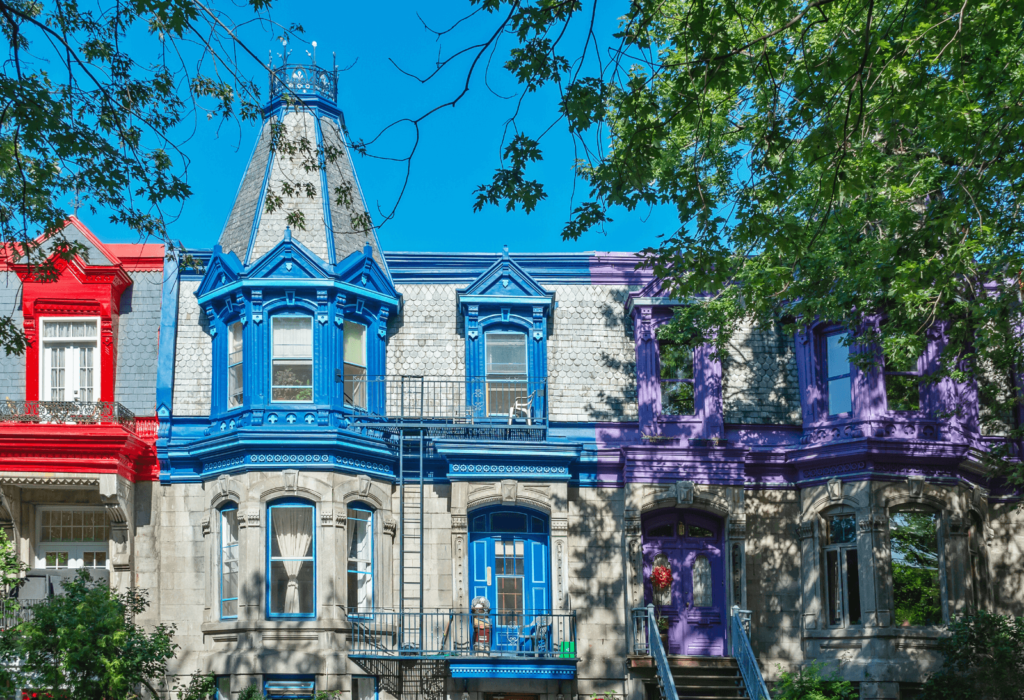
{"points": [[759, 378]]}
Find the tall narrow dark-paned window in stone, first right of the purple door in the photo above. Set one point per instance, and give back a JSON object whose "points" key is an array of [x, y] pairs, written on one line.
{"points": [[842, 570]]}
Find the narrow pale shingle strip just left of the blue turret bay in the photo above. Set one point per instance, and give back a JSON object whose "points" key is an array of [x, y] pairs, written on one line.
{"points": [[193, 357]]}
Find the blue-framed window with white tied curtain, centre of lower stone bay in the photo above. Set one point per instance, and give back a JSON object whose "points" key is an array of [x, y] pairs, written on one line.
{"points": [[291, 590]]}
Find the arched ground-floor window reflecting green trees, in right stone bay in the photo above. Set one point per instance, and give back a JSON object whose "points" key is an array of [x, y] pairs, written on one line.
{"points": [[914, 540]]}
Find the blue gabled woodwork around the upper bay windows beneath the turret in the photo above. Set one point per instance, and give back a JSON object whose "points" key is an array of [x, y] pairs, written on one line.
{"points": [[291, 281]]}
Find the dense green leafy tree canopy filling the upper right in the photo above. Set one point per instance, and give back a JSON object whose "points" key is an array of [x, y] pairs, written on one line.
{"points": [[854, 161]]}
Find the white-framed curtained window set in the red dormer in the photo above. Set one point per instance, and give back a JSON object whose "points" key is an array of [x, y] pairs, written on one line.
{"points": [[70, 360]]}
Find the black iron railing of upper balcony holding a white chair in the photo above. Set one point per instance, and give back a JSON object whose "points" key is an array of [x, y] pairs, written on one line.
{"points": [[485, 402]]}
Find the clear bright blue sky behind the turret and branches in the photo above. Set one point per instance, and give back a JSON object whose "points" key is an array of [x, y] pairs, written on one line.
{"points": [[459, 148]]}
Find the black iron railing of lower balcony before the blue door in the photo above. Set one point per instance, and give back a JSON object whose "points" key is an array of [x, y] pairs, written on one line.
{"points": [[446, 634]]}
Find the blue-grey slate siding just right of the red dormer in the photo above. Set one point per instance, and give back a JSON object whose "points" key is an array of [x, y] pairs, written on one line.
{"points": [[139, 332]]}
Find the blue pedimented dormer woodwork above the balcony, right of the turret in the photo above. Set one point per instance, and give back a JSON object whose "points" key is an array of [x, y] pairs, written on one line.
{"points": [[506, 299]]}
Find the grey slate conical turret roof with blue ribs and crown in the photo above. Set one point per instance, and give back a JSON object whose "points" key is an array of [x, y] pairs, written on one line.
{"points": [[334, 218]]}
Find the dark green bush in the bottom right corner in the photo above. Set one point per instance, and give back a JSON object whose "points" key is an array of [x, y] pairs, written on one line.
{"points": [[983, 660]]}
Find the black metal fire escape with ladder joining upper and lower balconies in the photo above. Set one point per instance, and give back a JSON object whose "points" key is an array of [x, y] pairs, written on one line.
{"points": [[406, 649]]}
